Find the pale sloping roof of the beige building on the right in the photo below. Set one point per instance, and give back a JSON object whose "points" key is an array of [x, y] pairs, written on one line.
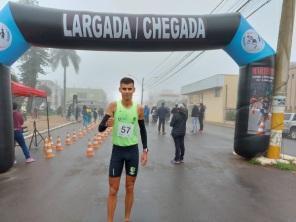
{"points": [[208, 83]]}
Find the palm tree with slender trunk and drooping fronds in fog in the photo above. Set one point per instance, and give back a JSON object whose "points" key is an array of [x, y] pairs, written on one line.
{"points": [[65, 56]]}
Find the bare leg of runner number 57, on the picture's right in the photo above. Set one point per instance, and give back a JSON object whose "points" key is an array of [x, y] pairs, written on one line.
{"points": [[129, 196]]}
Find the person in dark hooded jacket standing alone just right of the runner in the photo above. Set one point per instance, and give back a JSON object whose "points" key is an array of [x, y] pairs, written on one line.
{"points": [[178, 124]]}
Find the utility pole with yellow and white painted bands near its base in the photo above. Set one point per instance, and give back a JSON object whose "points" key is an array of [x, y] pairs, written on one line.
{"points": [[282, 64]]}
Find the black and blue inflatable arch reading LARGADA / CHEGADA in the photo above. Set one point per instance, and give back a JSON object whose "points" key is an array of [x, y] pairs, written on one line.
{"points": [[22, 26]]}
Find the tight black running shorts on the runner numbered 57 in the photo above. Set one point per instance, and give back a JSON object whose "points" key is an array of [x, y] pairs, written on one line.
{"points": [[128, 156]]}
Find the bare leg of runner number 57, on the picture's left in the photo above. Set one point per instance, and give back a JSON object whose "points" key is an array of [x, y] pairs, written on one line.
{"points": [[112, 197]]}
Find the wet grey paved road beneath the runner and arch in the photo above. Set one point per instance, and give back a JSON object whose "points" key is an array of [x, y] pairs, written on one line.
{"points": [[212, 185]]}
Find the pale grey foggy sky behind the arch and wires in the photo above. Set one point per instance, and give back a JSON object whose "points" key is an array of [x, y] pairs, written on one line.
{"points": [[101, 69]]}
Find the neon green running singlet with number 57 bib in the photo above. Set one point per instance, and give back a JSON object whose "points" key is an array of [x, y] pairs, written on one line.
{"points": [[125, 131]]}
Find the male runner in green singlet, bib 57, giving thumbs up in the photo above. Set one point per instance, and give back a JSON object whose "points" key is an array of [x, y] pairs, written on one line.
{"points": [[124, 116]]}
